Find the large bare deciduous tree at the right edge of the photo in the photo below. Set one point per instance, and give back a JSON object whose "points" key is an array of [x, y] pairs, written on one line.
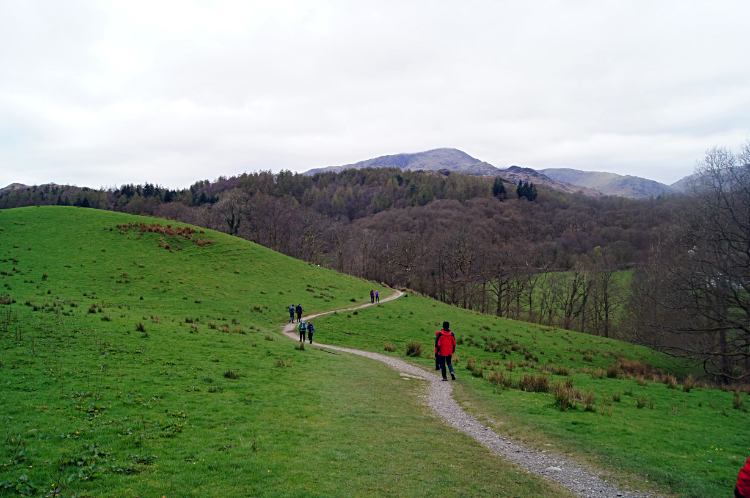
{"points": [[701, 307]]}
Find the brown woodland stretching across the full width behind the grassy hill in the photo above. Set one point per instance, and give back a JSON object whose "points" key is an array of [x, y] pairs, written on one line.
{"points": [[665, 271]]}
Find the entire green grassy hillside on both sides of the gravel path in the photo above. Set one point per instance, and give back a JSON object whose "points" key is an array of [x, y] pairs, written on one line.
{"points": [[141, 356]]}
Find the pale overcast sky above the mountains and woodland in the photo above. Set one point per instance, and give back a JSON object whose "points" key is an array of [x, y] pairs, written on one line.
{"points": [[111, 92]]}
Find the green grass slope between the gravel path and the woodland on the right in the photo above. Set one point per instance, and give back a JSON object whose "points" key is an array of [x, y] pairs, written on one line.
{"points": [[669, 440]]}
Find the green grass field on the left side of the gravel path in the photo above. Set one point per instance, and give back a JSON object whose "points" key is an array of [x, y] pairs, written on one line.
{"points": [[143, 363]]}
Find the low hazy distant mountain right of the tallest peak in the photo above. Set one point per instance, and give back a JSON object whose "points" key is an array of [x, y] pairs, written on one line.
{"points": [[633, 187]]}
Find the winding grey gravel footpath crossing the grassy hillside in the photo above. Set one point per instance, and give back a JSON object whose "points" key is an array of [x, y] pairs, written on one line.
{"points": [[584, 482]]}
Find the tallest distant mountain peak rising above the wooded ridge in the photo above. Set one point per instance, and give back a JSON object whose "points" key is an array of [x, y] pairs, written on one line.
{"points": [[431, 160]]}
